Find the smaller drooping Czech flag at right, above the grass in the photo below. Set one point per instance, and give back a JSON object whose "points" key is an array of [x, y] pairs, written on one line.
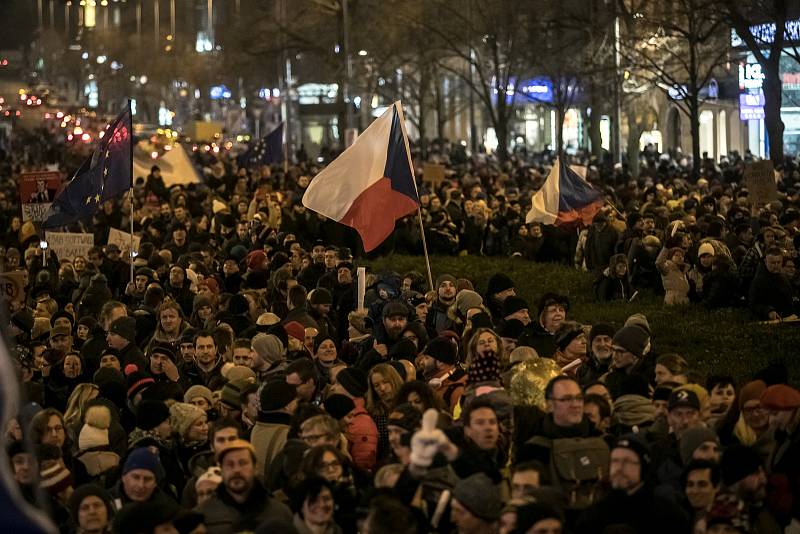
{"points": [[565, 198]]}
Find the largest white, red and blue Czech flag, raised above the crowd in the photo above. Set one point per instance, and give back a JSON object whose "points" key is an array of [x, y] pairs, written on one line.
{"points": [[371, 184]]}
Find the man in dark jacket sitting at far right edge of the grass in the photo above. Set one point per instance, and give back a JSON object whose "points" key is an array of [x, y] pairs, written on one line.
{"points": [[770, 291]]}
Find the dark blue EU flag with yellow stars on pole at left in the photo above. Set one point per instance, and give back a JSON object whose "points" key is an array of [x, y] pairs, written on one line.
{"points": [[105, 175]]}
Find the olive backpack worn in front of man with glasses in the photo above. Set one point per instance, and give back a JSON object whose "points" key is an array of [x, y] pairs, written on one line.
{"points": [[576, 467]]}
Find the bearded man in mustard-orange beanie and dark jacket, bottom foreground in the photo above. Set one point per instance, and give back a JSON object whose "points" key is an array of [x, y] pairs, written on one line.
{"points": [[240, 502]]}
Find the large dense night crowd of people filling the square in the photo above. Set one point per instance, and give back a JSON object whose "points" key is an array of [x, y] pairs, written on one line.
{"points": [[235, 384]]}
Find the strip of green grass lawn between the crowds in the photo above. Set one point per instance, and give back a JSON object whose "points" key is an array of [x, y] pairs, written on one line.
{"points": [[720, 342]]}
